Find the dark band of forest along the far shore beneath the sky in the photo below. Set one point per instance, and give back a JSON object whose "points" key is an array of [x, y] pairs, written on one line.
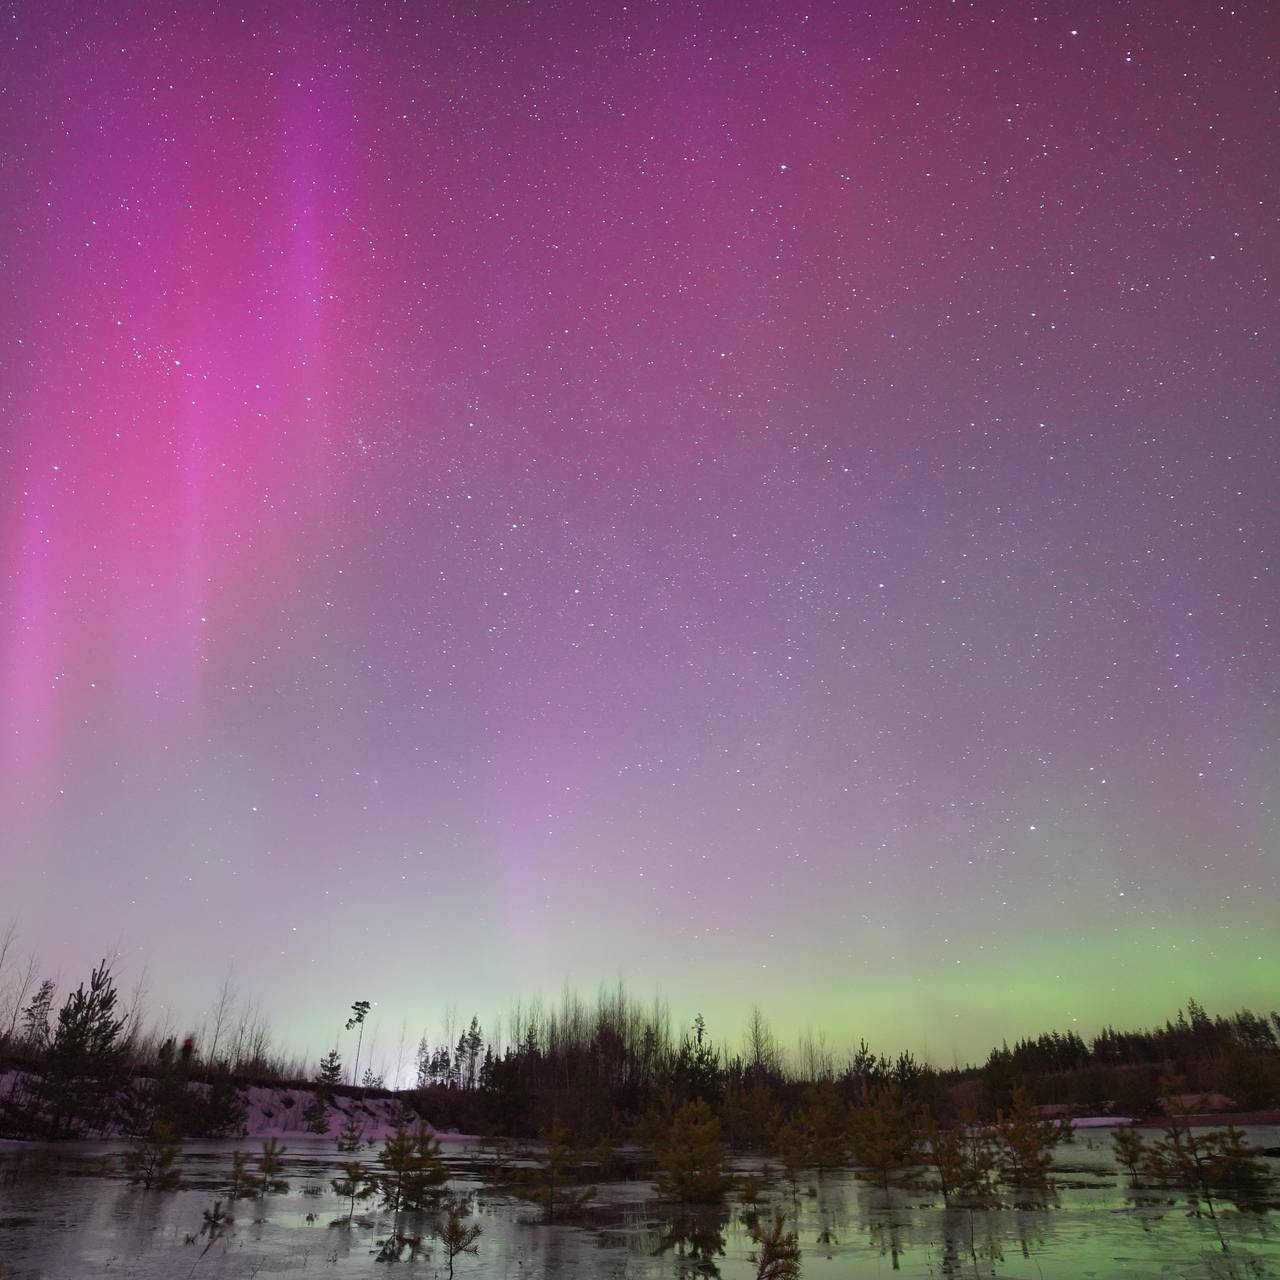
{"points": [[606, 1071]]}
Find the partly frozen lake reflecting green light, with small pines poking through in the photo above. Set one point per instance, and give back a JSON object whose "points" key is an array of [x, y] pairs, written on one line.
{"points": [[74, 1222]]}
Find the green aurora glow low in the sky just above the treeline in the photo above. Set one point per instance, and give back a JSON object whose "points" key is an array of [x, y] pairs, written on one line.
{"points": [[1080, 985]]}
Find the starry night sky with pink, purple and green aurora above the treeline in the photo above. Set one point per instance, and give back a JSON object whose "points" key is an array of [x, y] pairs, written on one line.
{"points": [[772, 501]]}
